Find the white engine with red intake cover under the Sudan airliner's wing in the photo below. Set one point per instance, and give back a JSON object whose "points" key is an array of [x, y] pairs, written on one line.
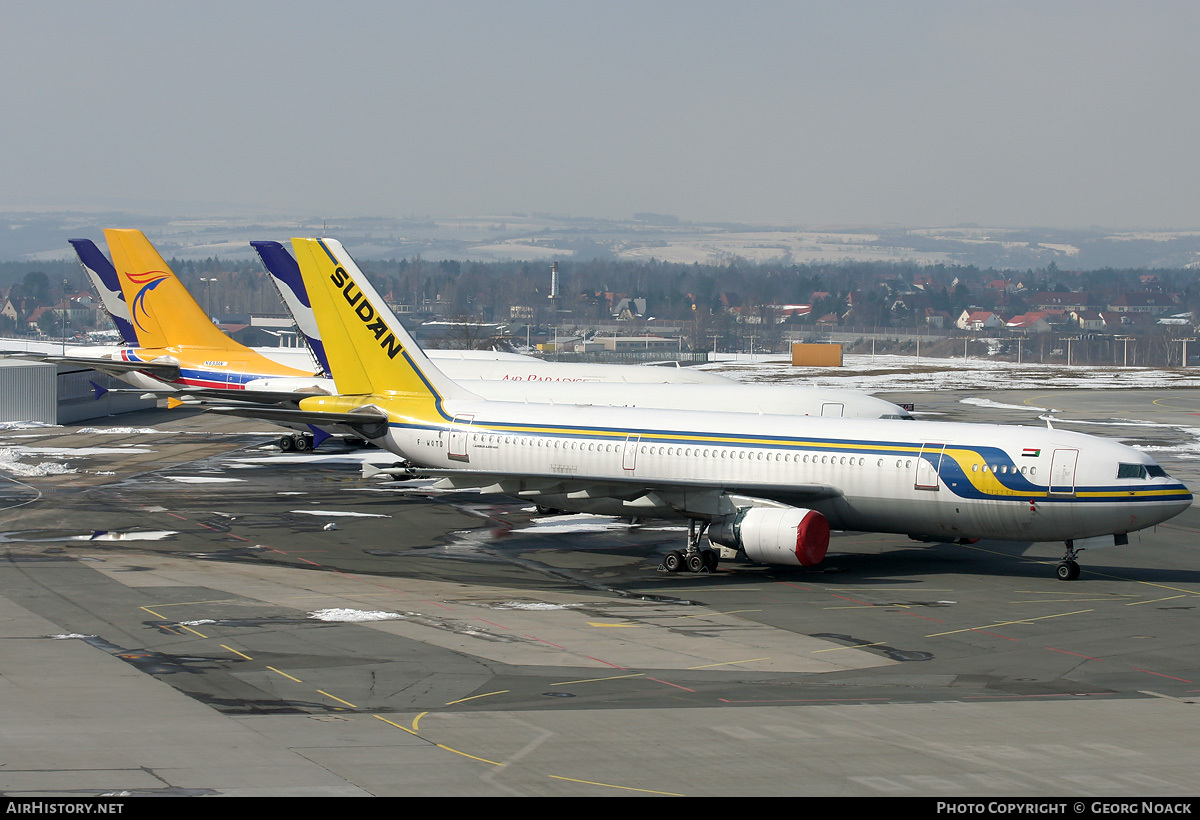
{"points": [[776, 536]]}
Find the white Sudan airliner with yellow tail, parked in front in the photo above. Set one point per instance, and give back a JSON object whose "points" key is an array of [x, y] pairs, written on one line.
{"points": [[769, 488]]}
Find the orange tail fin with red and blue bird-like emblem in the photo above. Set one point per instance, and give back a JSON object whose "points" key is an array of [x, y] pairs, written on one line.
{"points": [[164, 313]]}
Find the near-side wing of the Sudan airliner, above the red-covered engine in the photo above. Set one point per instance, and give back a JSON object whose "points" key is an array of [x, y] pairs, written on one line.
{"points": [[633, 495]]}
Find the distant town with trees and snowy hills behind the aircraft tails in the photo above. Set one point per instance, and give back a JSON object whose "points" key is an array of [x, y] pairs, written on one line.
{"points": [[652, 288]]}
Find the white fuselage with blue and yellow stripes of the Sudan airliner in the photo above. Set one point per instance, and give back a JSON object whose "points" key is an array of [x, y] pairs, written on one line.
{"points": [[920, 478]]}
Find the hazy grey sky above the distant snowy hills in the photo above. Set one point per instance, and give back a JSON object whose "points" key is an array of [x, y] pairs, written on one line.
{"points": [[1059, 115]]}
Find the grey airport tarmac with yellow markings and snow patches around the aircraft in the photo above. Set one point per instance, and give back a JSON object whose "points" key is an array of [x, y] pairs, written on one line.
{"points": [[193, 613]]}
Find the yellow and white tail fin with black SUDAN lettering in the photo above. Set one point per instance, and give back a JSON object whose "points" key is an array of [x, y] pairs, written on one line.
{"points": [[368, 348]]}
